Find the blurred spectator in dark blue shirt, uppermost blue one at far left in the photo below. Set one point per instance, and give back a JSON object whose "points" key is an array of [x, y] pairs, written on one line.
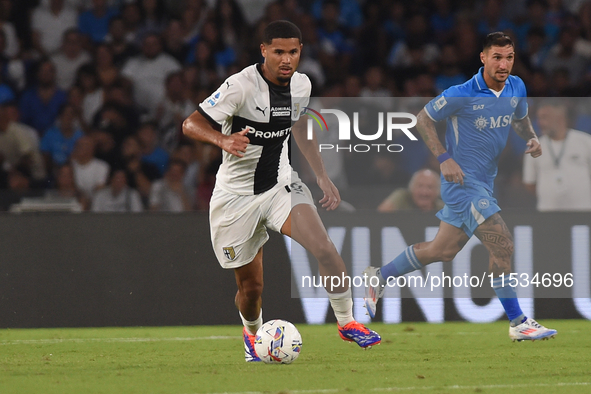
{"points": [[40, 104]]}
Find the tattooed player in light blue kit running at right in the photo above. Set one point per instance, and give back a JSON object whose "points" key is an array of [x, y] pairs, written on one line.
{"points": [[479, 114]]}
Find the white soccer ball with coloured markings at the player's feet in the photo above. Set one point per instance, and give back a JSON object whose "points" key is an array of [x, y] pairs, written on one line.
{"points": [[278, 342]]}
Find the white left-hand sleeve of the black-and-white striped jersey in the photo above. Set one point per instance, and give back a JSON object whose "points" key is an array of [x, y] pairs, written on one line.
{"points": [[224, 102]]}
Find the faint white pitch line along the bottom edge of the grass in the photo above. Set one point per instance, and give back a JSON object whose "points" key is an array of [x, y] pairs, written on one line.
{"points": [[413, 388]]}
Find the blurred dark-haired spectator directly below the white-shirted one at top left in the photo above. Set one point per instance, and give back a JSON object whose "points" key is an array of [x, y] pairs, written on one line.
{"points": [[69, 59]]}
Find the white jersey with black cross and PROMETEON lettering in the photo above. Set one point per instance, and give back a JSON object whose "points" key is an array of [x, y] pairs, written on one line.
{"points": [[248, 100]]}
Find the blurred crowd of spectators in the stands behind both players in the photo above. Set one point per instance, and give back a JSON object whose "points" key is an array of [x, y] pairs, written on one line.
{"points": [[93, 93]]}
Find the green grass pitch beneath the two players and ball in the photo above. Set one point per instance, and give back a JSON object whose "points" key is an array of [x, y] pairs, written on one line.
{"points": [[413, 357]]}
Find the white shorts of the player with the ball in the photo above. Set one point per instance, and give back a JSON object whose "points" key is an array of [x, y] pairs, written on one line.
{"points": [[239, 223]]}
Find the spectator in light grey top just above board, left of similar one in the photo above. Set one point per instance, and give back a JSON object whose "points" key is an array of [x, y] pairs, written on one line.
{"points": [[118, 196]]}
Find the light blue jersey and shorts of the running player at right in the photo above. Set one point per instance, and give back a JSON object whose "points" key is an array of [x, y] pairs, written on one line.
{"points": [[478, 124]]}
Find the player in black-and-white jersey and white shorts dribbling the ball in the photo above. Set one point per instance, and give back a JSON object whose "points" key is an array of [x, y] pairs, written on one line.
{"points": [[250, 117]]}
